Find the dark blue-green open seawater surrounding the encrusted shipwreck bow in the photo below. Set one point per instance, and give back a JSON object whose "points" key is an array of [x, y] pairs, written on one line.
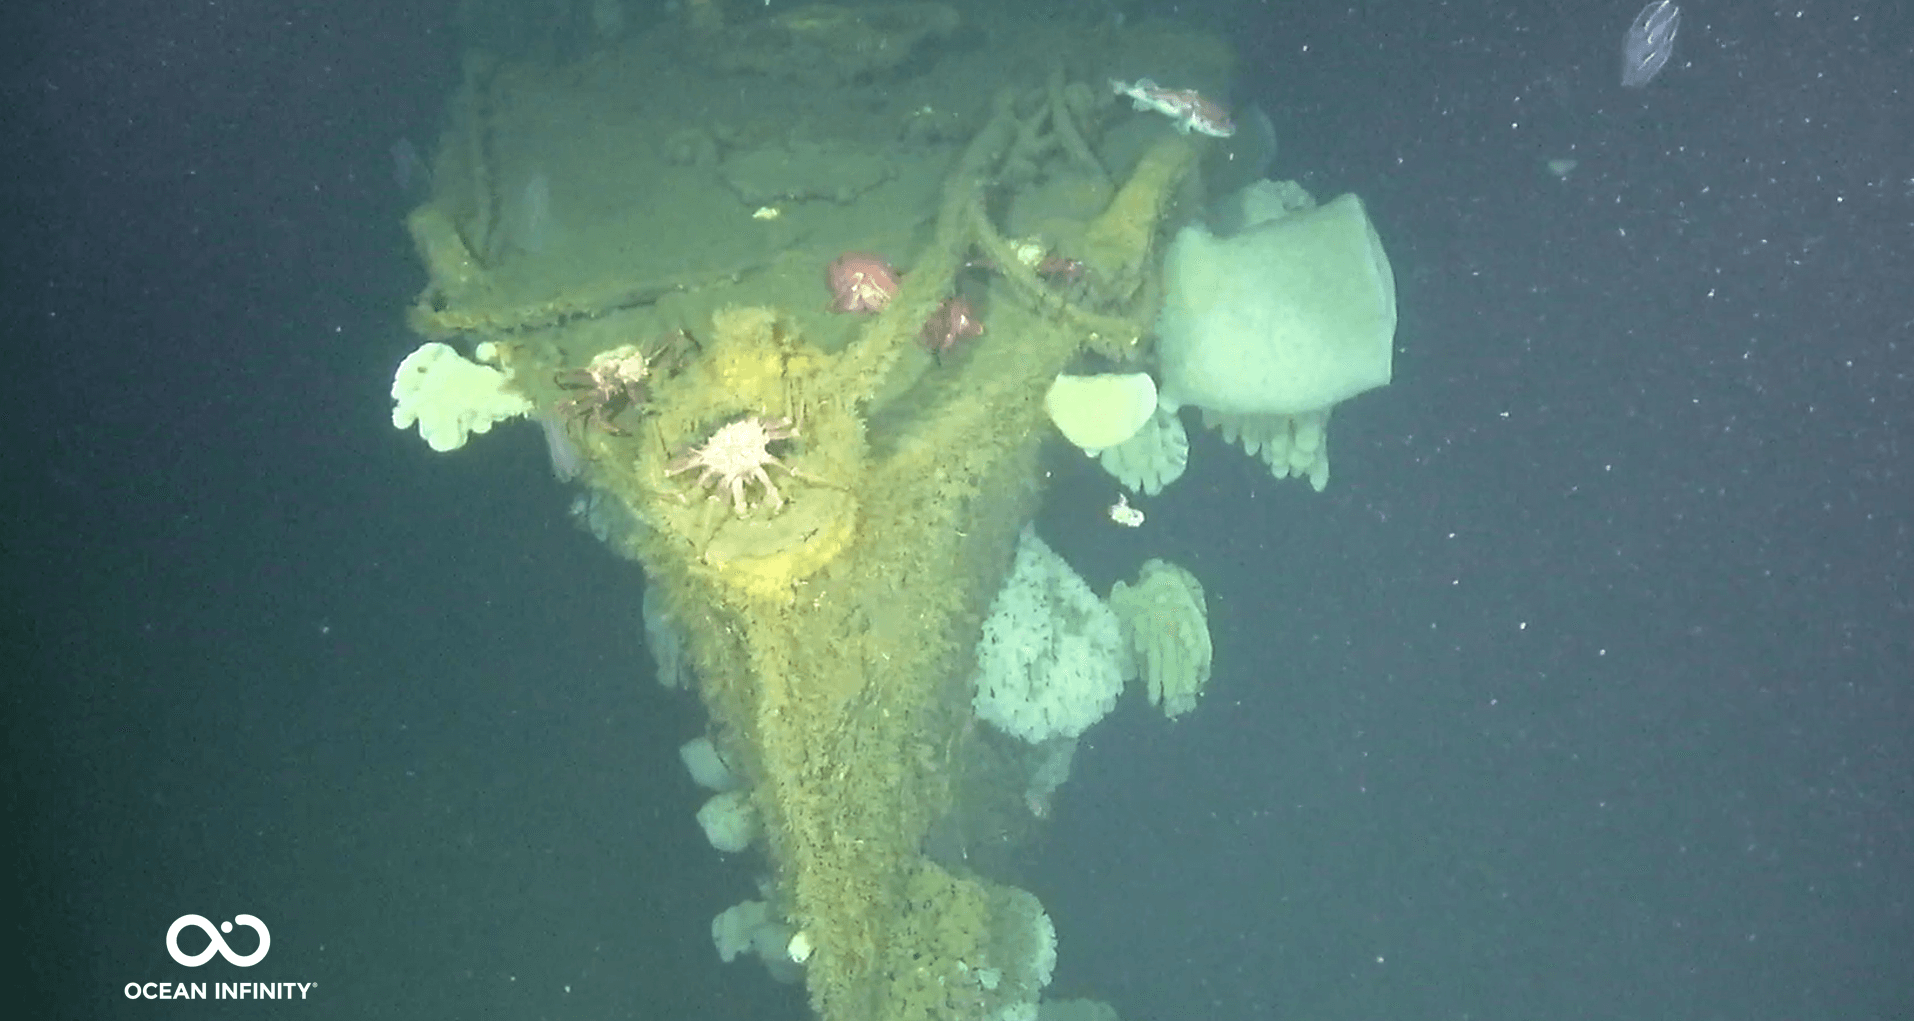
{"points": [[1584, 691]]}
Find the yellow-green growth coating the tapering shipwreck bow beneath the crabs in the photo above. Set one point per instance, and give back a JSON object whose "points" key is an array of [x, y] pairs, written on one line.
{"points": [[834, 637]]}
